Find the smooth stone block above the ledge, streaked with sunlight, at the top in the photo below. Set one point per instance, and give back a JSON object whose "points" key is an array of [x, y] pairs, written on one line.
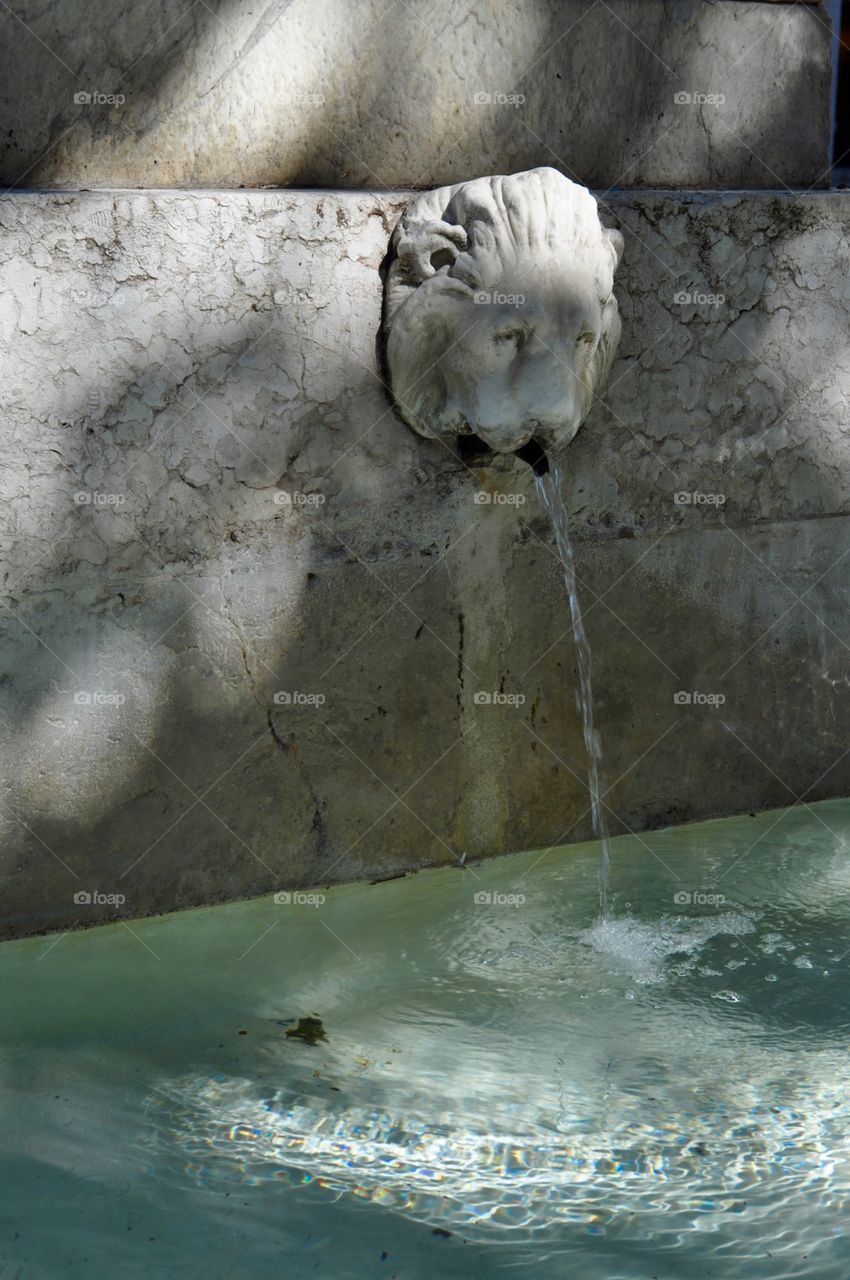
{"points": [[363, 94]]}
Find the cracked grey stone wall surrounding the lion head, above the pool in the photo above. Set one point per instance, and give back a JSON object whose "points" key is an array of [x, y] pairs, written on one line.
{"points": [[177, 367]]}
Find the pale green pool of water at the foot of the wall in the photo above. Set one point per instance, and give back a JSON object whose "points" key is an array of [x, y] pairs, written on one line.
{"points": [[461, 1073]]}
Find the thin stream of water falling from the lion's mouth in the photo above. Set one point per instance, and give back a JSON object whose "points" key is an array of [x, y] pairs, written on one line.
{"points": [[550, 486]]}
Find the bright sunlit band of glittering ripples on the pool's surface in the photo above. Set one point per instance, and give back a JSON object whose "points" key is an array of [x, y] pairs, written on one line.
{"points": [[697, 1169]]}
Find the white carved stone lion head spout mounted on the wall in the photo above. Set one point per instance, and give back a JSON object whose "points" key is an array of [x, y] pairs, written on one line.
{"points": [[500, 317]]}
